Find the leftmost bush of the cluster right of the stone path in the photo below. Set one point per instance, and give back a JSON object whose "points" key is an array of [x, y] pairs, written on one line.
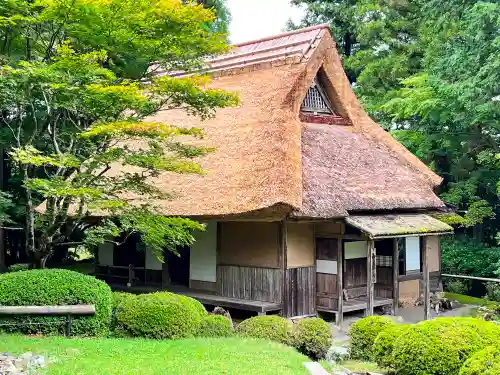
{"points": [[363, 334]]}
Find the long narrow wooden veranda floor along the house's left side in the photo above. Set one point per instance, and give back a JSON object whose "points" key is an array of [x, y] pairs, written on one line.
{"points": [[206, 298]]}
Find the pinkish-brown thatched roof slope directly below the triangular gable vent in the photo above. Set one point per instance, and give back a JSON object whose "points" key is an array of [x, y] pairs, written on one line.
{"points": [[345, 171]]}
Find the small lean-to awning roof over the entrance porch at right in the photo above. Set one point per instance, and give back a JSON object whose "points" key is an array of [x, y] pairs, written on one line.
{"points": [[384, 226]]}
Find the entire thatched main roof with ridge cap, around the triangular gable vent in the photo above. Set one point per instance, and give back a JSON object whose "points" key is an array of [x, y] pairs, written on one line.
{"points": [[268, 163]]}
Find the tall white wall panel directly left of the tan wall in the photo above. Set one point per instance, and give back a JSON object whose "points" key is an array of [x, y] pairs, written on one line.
{"points": [[203, 257]]}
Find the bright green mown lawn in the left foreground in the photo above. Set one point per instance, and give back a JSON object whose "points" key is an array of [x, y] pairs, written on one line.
{"points": [[189, 356]]}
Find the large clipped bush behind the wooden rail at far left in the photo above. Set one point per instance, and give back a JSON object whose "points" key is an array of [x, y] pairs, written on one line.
{"points": [[52, 287]]}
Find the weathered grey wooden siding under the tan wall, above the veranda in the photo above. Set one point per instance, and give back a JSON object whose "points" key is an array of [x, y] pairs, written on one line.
{"points": [[251, 283]]}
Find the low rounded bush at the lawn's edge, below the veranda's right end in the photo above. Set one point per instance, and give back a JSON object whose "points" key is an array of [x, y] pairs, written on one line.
{"points": [[267, 327]]}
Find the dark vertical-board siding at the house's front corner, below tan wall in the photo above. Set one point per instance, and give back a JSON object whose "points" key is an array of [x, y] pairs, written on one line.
{"points": [[300, 291]]}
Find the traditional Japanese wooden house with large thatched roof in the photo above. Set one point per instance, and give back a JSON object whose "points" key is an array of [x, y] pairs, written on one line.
{"points": [[309, 204]]}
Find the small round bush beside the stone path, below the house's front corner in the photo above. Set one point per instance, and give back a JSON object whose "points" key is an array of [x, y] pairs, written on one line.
{"points": [[312, 337]]}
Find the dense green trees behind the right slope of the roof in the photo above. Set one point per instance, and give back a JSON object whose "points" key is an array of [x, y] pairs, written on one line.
{"points": [[428, 72]]}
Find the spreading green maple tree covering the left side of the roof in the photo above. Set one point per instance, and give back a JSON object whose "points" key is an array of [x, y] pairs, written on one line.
{"points": [[80, 80]]}
